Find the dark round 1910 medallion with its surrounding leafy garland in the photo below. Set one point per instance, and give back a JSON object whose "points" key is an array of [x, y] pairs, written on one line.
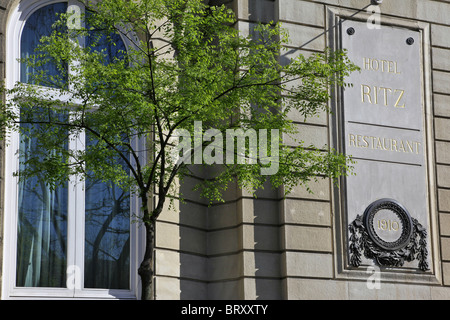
{"points": [[389, 235]]}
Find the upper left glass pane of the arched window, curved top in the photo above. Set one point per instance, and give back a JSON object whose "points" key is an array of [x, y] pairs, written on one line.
{"points": [[38, 25]]}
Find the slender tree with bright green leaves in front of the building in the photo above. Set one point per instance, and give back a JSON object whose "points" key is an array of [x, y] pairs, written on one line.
{"points": [[187, 73]]}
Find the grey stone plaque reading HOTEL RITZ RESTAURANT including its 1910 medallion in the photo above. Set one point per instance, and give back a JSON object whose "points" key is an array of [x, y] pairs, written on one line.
{"points": [[383, 121]]}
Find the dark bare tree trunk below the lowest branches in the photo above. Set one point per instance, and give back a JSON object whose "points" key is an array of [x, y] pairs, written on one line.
{"points": [[145, 270]]}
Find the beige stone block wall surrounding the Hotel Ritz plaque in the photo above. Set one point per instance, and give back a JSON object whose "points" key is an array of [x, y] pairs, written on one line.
{"points": [[291, 248]]}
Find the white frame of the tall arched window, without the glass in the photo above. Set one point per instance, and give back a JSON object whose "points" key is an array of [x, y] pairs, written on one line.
{"points": [[76, 217]]}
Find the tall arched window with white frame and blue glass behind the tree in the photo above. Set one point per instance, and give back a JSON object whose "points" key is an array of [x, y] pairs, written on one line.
{"points": [[75, 240]]}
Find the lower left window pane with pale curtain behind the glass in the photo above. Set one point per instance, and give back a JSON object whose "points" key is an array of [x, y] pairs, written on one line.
{"points": [[42, 226]]}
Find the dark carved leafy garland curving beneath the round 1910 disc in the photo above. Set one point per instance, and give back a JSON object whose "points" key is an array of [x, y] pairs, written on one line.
{"points": [[360, 241]]}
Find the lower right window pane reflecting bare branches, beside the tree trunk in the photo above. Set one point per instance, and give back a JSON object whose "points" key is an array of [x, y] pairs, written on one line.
{"points": [[107, 233]]}
